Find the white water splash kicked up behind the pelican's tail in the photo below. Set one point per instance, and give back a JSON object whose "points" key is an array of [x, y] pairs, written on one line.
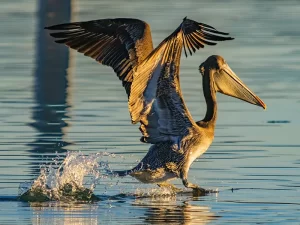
{"points": [[67, 181]]}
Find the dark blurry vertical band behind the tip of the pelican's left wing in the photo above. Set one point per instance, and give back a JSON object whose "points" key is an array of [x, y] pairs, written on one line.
{"points": [[52, 83]]}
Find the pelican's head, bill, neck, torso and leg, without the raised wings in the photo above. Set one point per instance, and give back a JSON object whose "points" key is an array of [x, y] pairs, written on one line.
{"points": [[165, 160]]}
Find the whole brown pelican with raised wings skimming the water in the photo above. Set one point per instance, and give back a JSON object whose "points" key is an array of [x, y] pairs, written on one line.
{"points": [[151, 80]]}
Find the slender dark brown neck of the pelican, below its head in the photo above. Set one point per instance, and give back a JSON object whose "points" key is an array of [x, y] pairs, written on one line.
{"points": [[210, 98]]}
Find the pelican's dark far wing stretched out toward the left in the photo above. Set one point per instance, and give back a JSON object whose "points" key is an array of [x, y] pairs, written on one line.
{"points": [[120, 43]]}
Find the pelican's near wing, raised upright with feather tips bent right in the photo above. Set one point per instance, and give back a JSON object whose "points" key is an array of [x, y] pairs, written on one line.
{"points": [[156, 100]]}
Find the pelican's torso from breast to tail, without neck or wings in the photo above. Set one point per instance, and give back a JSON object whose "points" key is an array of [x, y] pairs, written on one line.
{"points": [[165, 161]]}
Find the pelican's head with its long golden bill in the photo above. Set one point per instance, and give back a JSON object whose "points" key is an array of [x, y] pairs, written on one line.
{"points": [[226, 81]]}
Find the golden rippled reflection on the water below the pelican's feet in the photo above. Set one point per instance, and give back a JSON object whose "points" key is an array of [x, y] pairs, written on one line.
{"points": [[170, 211]]}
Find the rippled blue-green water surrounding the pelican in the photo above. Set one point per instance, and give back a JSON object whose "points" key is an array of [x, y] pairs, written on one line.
{"points": [[254, 160]]}
